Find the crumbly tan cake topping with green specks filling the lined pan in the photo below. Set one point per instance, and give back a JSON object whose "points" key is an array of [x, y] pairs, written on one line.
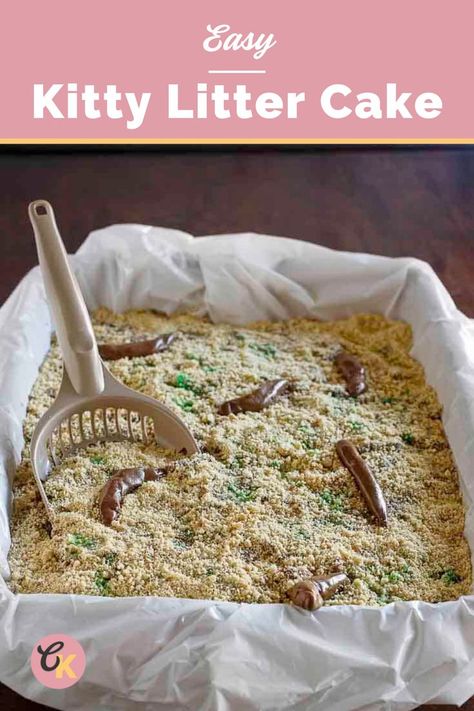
{"points": [[267, 502]]}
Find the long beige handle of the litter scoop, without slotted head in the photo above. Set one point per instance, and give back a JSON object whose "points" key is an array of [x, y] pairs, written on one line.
{"points": [[73, 326]]}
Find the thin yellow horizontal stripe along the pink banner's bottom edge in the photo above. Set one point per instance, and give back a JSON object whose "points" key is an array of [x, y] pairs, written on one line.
{"points": [[225, 141]]}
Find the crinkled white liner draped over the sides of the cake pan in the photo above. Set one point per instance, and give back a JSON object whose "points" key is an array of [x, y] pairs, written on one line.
{"points": [[154, 653]]}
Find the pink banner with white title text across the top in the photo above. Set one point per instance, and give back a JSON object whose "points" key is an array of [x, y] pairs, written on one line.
{"points": [[307, 70]]}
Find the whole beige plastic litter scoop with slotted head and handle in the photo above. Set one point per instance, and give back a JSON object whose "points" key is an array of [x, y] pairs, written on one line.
{"points": [[91, 406]]}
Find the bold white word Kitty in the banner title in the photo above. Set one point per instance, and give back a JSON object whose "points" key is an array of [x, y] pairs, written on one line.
{"points": [[111, 103]]}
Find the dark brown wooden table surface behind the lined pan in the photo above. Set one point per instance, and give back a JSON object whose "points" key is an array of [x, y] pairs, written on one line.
{"points": [[394, 201]]}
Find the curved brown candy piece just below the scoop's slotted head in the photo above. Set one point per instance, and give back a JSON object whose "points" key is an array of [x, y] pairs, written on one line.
{"points": [[122, 483]]}
